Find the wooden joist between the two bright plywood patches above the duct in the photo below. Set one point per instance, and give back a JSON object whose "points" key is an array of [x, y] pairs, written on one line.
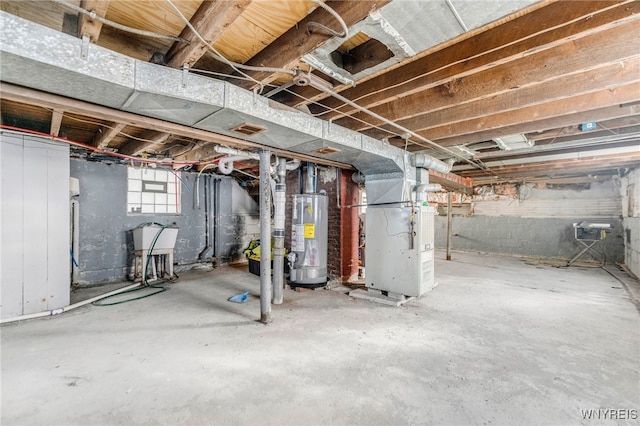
{"points": [[210, 20]]}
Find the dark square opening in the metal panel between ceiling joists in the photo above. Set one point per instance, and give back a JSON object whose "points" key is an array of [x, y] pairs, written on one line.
{"points": [[359, 53]]}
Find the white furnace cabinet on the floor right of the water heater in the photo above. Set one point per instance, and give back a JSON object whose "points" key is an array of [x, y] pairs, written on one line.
{"points": [[400, 249]]}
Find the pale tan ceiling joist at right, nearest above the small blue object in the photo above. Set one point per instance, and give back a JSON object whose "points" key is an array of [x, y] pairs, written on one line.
{"points": [[518, 119]]}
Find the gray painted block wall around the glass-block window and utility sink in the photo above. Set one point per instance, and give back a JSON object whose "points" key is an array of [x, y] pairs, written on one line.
{"points": [[106, 241]]}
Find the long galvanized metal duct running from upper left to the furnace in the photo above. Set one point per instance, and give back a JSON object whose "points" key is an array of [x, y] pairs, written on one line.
{"points": [[44, 59]]}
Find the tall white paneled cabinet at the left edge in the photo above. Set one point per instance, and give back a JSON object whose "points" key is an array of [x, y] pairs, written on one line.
{"points": [[34, 225]]}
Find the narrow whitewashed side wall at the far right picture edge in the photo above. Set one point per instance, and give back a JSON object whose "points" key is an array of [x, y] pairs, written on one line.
{"points": [[630, 191]]}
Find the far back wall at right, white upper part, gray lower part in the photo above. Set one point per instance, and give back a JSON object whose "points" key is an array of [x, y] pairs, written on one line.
{"points": [[540, 224]]}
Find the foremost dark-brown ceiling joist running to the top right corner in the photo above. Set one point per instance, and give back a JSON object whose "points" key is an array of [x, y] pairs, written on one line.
{"points": [[503, 43]]}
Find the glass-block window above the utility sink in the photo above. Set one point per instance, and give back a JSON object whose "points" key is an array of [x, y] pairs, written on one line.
{"points": [[152, 191]]}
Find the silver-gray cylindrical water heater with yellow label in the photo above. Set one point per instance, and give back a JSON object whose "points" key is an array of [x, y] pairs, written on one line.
{"points": [[309, 229]]}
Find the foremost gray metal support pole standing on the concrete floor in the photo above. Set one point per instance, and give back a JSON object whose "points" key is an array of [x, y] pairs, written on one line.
{"points": [[265, 237]]}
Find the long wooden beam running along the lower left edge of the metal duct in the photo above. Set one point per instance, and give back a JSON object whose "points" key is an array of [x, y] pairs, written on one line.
{"points": [[48, 100]]}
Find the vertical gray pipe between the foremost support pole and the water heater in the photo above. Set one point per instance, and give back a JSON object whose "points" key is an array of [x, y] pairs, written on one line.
{"points": [[278, 232]]}
